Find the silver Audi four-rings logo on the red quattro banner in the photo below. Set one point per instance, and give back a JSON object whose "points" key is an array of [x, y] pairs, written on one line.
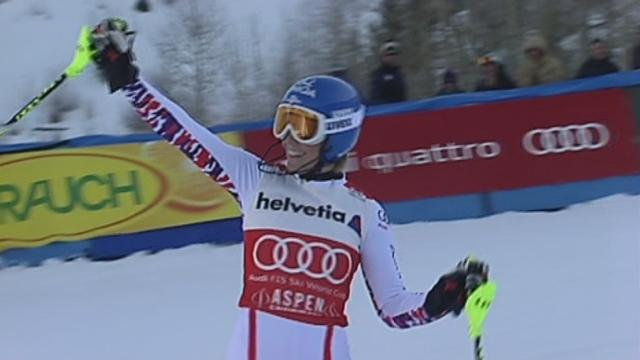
{"points": [[560, 139]]}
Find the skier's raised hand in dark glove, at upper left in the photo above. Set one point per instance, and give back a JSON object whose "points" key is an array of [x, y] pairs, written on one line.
{"points": [[113, 41]]}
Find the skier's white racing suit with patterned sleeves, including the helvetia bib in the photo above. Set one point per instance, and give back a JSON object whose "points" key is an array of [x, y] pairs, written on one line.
{"points": [[303, 243]]}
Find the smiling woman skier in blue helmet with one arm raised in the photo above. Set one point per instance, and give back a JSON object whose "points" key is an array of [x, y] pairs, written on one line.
{"points": [[305, 231]]}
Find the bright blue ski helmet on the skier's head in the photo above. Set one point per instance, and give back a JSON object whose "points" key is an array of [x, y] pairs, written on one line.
{"points": [[340, 105]]}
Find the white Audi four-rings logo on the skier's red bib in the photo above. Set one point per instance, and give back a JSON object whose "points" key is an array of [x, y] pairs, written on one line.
{"points": [[294, 256]]}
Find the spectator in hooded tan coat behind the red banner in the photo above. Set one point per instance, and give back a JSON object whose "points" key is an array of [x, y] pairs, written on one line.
{"points": [[540, 66]]}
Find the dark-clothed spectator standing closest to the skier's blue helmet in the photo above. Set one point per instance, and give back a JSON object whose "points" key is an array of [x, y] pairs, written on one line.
{"points": [[387, 82]]}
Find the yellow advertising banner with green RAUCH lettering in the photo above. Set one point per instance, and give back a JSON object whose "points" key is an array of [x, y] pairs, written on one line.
{"points": [[81, 193]]}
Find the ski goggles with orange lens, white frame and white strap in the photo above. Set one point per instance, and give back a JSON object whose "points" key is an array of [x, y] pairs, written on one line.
{"points": [[311, 127]]}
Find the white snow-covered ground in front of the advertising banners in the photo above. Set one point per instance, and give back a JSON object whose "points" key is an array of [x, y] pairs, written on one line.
{"points": [[569, 290]]}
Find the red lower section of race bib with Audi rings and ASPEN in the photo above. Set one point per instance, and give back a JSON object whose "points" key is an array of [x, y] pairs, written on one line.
{"points": [[297, 276]]}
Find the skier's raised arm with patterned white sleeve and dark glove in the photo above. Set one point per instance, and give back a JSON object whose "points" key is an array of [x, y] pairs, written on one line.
{"points": [[233, 168]]}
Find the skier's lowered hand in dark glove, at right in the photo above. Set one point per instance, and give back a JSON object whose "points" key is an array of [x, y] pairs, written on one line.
{"points": [[450, 293]]}
